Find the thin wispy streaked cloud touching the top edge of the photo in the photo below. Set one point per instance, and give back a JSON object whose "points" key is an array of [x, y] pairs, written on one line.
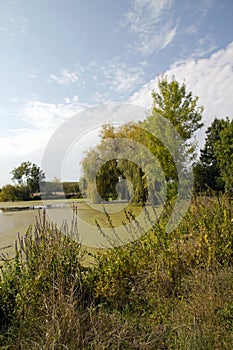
{"points": [[152, 23]]}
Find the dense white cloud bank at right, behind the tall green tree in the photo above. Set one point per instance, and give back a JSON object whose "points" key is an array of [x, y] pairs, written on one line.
{"points": [[209, 78]]}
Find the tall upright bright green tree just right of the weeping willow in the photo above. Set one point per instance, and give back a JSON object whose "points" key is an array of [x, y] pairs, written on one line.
{"points": [[180, 112]]}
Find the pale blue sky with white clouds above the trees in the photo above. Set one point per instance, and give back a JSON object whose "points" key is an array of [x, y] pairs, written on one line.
{"points": [[62, 57]]}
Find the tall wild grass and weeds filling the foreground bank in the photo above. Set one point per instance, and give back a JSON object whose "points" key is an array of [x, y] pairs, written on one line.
{"points": [[163, 291]]}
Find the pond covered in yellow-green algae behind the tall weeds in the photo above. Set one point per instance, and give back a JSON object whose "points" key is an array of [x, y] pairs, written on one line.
{"points": [[15, 218]]}
